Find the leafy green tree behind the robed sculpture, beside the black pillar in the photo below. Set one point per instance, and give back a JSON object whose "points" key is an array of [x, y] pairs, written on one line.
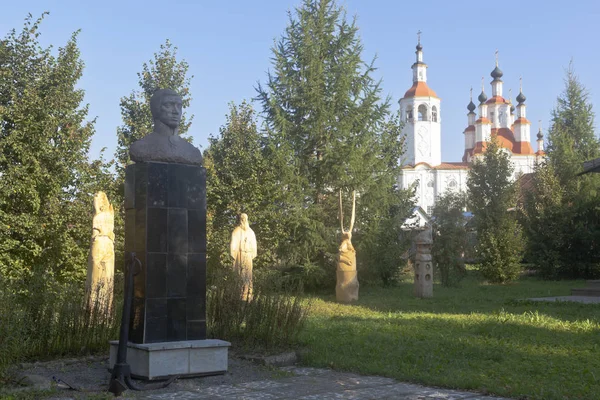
{"points": [[241, 179]]}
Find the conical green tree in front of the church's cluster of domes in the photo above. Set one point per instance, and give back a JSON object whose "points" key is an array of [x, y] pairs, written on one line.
{"points": [[491, 196]]}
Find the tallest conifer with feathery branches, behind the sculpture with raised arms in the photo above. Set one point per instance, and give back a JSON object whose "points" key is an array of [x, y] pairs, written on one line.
{"points": [[326, 118]]}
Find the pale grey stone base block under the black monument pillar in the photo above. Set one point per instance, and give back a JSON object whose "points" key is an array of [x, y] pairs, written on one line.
{"points": [[186, 358]]}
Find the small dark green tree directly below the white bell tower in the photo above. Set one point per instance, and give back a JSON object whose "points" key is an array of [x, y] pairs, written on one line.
{"points": [[449, 237]]}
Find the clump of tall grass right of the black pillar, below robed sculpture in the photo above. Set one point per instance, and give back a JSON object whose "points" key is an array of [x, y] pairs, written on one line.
{"points": [[271, 318]]}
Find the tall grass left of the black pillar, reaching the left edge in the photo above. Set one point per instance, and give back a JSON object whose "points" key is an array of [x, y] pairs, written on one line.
{"points": [[54, 320]]}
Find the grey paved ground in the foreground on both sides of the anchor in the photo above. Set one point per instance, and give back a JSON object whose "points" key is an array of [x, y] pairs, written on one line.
{"points": [[243, 381]]}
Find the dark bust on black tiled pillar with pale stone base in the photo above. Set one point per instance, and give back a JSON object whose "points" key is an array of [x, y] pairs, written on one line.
{"points": [[165, 226]]}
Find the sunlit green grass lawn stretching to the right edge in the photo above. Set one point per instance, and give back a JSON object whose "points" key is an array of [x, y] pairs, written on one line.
{"points": [[476, 337]]}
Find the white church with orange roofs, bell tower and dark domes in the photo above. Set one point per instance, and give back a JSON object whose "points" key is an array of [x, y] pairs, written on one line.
{"points": [[421, 111]]}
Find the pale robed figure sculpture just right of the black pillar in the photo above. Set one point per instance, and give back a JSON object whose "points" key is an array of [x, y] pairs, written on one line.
{"points": [[243, 249]]}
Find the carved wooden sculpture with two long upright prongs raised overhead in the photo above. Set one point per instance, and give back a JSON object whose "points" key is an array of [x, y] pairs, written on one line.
{"points": [[346, 288]]}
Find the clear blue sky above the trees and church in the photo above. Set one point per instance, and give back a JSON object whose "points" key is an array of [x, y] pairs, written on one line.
{"points": [[227, 44]]}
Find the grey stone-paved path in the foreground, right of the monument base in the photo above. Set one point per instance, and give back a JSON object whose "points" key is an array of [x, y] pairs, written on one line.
{"points": [[318, 384]]}
